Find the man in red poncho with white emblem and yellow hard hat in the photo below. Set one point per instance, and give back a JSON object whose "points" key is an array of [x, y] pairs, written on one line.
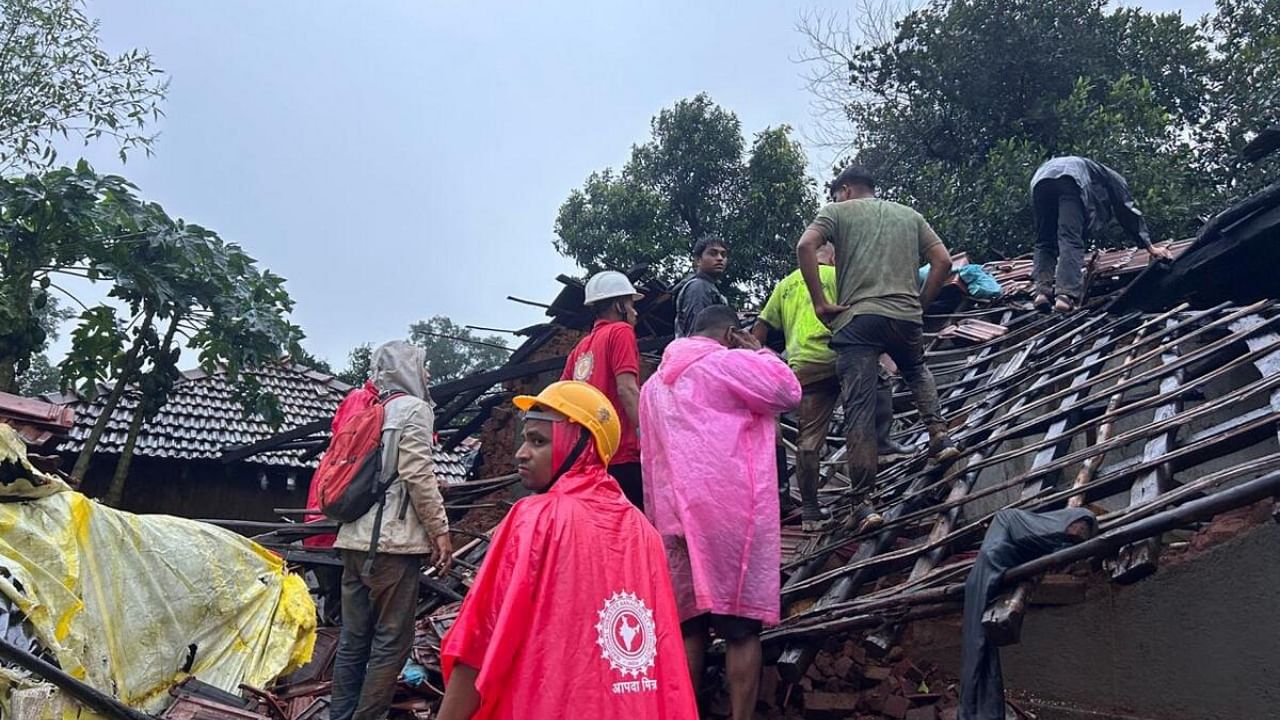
{"points": [[573, 612]]}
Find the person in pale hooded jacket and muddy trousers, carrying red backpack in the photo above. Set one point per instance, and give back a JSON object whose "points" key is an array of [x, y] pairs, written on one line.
{"points": [[380, 600]]}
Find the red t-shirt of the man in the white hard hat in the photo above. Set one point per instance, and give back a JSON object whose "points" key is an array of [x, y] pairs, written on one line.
{"points": [[609, 350]]}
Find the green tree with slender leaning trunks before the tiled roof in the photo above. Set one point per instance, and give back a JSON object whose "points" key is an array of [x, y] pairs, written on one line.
{"points": [[181, 280]]}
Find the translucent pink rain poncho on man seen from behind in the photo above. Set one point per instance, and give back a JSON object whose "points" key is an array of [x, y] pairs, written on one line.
{"points": [[707, 438]]}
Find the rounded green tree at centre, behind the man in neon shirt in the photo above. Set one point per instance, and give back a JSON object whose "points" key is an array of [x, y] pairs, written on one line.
{"points": [[694, 177]]}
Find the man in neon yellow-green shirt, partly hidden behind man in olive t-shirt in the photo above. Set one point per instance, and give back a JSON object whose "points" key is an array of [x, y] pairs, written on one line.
{"points": [[810, 354]]}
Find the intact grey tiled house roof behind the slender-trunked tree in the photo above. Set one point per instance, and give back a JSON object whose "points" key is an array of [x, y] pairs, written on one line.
{"points": [[203, 420]]}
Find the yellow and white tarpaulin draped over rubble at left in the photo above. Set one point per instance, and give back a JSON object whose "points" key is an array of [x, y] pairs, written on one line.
{"points": [[135, 604]]}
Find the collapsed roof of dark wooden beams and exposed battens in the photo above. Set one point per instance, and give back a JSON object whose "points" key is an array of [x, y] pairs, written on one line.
{"points": [[1158, 416]]}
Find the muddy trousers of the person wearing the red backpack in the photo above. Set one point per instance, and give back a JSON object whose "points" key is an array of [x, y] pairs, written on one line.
{"points": [[378, 625]]}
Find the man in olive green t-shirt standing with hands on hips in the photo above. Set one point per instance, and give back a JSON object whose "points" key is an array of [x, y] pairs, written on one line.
{"points": [[879, 247]]}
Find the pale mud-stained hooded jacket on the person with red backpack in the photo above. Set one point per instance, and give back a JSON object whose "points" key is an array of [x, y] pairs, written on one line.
{"points": [[415, 509]]}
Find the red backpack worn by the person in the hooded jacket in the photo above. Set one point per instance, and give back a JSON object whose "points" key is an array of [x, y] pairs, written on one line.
{"points": [[350, 476]]}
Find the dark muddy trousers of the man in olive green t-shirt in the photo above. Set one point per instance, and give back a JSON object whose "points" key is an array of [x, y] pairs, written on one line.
{"points": [[858, 349]]}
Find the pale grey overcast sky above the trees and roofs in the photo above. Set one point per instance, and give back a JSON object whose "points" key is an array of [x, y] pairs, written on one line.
{"points": [[397, 161]]}
